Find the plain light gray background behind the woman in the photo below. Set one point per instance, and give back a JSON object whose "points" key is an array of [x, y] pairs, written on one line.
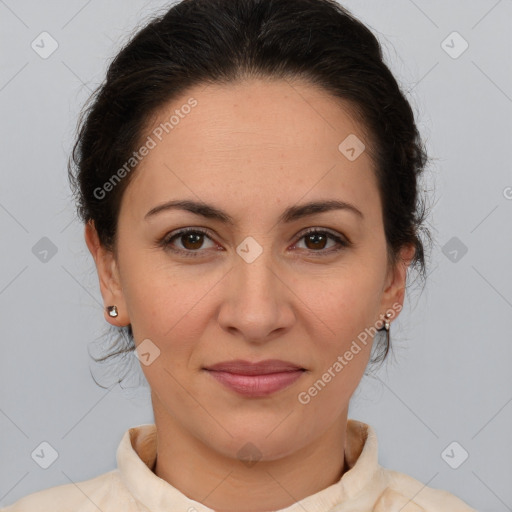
{"points": [[449, 379]]}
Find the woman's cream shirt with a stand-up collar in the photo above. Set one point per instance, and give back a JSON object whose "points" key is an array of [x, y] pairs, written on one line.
{"points": [[133, 487]]}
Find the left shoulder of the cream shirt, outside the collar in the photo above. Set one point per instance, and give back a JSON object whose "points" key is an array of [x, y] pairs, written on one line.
{"points": [[84, 496]]}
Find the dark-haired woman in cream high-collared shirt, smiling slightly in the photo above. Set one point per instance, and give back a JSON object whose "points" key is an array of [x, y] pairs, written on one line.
{"points": [[248, 179]]}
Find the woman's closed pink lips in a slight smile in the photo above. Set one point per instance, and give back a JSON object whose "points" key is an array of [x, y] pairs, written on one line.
{"points": [[256, 379]]}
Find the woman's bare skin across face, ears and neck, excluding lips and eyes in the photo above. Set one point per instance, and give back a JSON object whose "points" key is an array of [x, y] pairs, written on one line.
{"points": [[251, 149]]}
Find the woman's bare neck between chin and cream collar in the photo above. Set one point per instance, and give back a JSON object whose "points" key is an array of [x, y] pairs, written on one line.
{"points": [[227, 484]]}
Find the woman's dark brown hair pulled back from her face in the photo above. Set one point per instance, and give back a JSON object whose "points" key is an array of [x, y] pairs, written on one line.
{"points": [[225, 41]]}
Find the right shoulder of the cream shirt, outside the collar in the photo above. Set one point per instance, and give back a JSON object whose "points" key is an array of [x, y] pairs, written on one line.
{"points": [[414, 496]]}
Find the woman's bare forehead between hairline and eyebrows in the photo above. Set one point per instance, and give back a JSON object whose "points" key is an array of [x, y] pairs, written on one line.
{"points": [[266, 139]]}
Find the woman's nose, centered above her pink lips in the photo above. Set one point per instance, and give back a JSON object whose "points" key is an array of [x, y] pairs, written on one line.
{"points": [[256, 302]]}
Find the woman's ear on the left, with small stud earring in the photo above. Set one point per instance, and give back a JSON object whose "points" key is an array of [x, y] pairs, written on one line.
{"points": [[108, 275]]}
